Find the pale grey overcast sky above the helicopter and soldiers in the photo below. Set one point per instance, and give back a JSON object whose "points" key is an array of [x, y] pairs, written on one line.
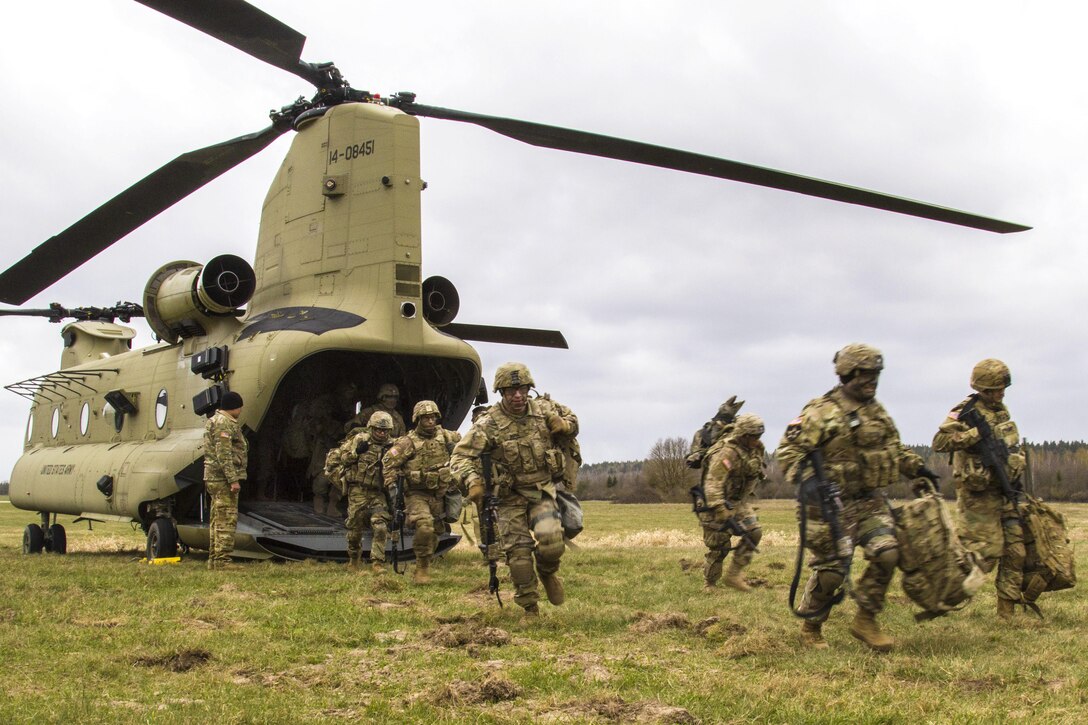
{"points": [[674, 291]]}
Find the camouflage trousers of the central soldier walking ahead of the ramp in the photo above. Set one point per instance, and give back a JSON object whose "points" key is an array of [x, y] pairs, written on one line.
{"points": [[530, 531]]}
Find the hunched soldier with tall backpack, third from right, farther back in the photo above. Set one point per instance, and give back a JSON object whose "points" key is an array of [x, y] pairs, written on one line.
{"points": [[734, 469]]}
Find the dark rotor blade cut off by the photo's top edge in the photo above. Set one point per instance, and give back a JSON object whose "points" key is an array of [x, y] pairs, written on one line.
{"points": [[244, 27]]}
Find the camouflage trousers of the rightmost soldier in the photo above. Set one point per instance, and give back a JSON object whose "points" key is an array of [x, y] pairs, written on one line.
{"points": [[988, 526]]}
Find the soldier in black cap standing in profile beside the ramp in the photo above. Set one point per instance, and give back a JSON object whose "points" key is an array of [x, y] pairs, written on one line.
{"points": [[226, 457]]}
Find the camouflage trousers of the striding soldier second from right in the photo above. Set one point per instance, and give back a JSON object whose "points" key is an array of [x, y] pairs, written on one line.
{"points": [[870, 526]]}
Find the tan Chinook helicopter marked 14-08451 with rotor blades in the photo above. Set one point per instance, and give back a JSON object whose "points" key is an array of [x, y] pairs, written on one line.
{"points": [[335, 301]]}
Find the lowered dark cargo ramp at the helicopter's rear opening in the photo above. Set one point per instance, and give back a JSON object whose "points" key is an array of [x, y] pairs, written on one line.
{"points": [[295, 532]]}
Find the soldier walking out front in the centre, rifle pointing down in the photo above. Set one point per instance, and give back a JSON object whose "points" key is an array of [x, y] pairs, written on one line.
{"points": [[522, 437]]}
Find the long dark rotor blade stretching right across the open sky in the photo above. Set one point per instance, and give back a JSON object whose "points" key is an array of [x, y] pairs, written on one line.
{"points": [[582, 142]]}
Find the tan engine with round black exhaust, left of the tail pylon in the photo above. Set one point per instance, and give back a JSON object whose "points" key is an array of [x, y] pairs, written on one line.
{"points": [[182, 297]]}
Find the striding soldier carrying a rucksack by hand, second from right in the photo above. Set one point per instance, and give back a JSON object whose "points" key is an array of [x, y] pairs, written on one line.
{"points": [[863, 456]]}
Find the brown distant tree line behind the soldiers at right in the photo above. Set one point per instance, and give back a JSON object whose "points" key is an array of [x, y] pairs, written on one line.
{"points": [[1058, 471]]}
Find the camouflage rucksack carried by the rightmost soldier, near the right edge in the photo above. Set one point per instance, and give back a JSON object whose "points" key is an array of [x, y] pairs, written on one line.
{"points": [[1049, 563]]}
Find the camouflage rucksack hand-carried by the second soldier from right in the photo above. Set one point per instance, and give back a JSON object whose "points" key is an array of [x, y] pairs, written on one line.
{"points": [[939, 574]]}
